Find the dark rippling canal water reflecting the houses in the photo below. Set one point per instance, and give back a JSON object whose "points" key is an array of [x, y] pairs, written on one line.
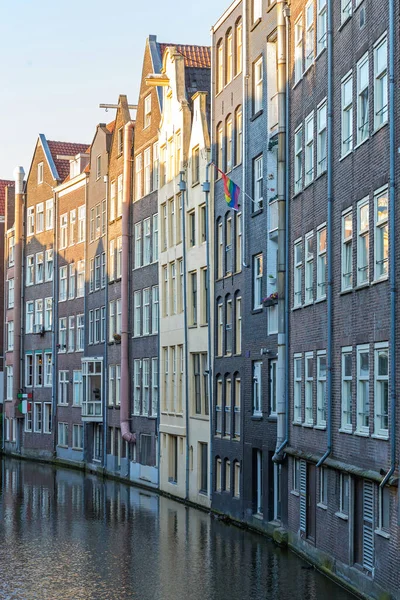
{"points": [[67, 536]]}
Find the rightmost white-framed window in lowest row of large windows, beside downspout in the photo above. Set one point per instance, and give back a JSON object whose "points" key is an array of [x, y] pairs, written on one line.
{"points": [[381, 372]]}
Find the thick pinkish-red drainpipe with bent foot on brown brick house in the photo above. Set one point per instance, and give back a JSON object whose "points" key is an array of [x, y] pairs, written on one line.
{"points": [[127, 435]]}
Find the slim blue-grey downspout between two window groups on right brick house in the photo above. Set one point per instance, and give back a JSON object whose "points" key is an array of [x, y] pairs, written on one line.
{"points": [[329, 228]]}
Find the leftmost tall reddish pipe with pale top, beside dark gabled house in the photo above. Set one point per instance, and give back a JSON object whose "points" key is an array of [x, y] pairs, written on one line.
{"points": [[19, 175]]}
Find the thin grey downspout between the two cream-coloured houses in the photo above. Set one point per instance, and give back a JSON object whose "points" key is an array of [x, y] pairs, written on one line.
{"points": [[182, 189]]}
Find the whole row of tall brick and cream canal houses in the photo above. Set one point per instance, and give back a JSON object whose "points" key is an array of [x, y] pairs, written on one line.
{"points": [[236, 359]]}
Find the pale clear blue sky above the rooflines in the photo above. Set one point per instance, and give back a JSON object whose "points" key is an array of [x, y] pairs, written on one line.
{"points": [[60, 60]]}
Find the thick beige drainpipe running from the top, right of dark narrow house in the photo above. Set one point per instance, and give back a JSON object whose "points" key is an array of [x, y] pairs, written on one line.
{"points": [[283, 33]]}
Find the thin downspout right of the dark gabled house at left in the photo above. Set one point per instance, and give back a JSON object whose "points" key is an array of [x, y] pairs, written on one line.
{"points": [[54, 325]]}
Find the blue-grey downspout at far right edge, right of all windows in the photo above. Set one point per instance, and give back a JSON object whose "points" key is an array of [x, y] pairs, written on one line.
{"points": [[392, 244]]}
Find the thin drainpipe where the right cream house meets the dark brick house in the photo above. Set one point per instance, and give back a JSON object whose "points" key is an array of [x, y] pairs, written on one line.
{"points": [[206, 190]]}
